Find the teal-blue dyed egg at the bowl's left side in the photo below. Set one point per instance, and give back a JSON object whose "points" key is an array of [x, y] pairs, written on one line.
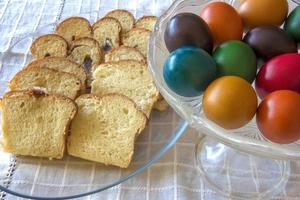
{"points": [[188, 71]]}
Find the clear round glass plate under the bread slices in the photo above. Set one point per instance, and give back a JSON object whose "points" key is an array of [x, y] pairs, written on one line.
{"points": [[79, 177]]}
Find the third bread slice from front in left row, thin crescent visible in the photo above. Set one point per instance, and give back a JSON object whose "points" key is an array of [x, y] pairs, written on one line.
{"points": [[62, 64]]}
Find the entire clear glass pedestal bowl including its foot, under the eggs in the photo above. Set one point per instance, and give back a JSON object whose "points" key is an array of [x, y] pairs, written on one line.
{"points": [[220, 150]]}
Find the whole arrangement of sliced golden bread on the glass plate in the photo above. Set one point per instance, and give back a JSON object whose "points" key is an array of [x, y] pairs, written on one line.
{"points": [[87, 91]]}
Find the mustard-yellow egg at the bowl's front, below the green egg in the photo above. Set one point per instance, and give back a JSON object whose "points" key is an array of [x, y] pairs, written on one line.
{"points": [[230, 102]]}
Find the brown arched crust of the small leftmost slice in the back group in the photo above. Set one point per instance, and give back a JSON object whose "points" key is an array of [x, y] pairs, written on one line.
{"points": [[33, 47]]}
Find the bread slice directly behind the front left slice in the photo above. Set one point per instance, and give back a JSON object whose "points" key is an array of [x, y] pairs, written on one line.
{"points": [[49, 80]]}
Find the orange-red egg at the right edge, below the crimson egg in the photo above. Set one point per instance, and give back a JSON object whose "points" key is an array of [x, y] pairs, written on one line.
{"points": [[278, 116]]}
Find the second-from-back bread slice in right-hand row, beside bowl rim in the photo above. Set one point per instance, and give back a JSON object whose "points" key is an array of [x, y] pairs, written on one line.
{"points": [[137, 38]]}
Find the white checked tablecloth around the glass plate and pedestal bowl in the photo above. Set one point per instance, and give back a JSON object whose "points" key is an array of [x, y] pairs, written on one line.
{"points": [[175, 176]]}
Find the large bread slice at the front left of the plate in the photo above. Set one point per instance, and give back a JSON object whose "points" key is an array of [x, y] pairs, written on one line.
{"points": [[35, 123]]}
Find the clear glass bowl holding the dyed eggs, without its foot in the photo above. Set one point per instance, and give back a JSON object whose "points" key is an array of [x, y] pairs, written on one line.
{"points": [[248, 138]]}
